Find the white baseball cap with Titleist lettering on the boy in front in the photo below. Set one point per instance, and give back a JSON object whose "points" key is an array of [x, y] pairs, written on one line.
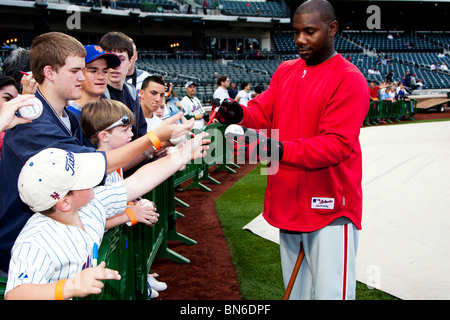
{"points": [[50, 174]]}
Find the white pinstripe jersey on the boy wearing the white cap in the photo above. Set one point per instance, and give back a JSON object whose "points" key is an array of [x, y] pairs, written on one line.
{"points": [[46, 251]]}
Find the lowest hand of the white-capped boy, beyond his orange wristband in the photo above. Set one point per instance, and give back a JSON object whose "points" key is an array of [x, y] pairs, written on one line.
{"points": [[88, 281]]}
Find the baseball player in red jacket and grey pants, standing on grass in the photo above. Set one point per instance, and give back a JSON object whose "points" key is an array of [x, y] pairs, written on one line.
{"points": [[317, 105]]}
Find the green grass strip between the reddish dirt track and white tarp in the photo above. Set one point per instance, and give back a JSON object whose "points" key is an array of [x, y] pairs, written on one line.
{"points": [[257, 260]]}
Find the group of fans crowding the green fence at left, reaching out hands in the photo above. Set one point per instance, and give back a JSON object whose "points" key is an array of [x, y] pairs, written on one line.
{"points": [[90, 106]]}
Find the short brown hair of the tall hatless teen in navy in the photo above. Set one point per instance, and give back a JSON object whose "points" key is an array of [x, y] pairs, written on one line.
{"points": [[52, 49]]}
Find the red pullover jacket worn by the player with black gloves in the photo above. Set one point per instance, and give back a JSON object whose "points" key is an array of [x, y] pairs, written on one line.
{"points": [[318, 111]]}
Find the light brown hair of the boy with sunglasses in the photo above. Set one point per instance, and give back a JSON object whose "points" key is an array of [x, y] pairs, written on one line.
{"points": [[99, 115]]}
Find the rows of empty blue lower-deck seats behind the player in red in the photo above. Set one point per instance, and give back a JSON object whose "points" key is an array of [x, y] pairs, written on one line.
{"points": [[358, 47]]}
